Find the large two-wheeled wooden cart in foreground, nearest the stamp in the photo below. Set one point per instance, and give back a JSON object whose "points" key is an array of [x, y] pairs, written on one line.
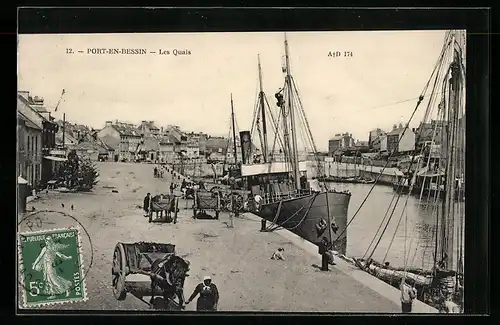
{"points": [[131, 272]]}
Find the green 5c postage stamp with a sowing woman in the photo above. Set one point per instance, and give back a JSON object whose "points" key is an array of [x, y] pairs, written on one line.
{"points": [[51, 267]]}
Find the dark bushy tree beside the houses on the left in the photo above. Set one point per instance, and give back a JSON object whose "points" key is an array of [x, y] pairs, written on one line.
{"points": [[78, 173]]}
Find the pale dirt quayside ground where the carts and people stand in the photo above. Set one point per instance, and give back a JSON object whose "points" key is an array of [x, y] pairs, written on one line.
{"points": [[238, 259]]}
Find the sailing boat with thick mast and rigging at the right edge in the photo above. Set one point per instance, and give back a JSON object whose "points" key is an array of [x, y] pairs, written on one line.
{"points": [[441, 284]]}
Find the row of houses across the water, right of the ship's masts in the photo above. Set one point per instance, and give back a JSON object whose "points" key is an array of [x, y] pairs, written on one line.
{"points": [[400, 140]]}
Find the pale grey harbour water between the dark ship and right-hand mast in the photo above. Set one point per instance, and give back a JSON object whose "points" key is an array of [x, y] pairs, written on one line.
{"points": [[417, 238]]}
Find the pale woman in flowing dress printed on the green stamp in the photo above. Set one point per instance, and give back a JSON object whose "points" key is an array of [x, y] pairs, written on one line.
{"points": [[53, 284]]}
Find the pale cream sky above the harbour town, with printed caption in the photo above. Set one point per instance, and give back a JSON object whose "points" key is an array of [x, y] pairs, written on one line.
{"points": [[375, 88]]}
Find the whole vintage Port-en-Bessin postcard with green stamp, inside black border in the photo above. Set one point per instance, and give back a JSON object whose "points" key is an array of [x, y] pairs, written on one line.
{"points": [[262, 171]]}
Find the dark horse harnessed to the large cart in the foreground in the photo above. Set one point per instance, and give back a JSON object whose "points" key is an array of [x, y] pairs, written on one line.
{"points": [[173, 271]]}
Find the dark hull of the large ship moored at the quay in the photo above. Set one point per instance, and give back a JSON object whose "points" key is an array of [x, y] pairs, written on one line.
{"points": [[302, 216]]}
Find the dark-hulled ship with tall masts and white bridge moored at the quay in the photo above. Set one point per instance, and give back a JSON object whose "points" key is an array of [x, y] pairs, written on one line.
{"points": [[290, 200]]}
